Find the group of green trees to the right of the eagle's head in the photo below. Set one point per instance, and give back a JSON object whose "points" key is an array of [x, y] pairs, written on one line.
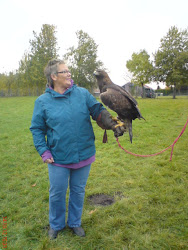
{"points": [[169, 64]]}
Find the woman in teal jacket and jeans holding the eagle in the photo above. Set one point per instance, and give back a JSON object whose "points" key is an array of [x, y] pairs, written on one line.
{"points": [[62, 115]]}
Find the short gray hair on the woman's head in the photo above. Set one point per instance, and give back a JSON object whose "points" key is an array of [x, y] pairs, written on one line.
{"points": [[52, 68]]}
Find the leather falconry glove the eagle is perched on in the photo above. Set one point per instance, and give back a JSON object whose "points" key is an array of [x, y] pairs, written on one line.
{"points": [[105, 122]]}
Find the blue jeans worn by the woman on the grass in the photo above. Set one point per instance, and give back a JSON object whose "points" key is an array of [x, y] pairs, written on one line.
{"points": [[59, 178]]}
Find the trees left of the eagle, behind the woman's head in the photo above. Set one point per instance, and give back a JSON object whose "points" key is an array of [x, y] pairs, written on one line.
{"points": [[29, 79]]}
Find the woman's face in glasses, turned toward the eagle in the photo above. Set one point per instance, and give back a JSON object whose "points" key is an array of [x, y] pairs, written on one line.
{"points": [[63, 77]]}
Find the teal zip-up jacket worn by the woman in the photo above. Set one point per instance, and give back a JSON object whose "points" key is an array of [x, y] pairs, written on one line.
{"points": [[61, 124]]}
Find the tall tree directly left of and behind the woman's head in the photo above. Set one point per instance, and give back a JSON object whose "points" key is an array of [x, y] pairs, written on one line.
{"points": [[43, 48]]}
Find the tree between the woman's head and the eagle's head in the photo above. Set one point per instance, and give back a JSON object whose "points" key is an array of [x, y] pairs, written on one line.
{"points": [[83, 60]]}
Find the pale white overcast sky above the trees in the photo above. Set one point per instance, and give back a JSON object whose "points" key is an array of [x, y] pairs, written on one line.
{"points": [[119, 28]]}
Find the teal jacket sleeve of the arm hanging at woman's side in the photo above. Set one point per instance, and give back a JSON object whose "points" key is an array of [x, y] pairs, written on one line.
{"points": [[38, 128]]}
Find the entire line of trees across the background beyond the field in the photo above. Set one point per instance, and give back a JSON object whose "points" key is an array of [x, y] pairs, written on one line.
{"points": [[169, 64]]}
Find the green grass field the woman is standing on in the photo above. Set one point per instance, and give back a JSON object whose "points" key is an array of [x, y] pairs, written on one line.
{"points": [[151, 210]]}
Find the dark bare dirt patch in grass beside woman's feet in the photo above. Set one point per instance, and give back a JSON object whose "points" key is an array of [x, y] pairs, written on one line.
{"points": [[101, 199]]}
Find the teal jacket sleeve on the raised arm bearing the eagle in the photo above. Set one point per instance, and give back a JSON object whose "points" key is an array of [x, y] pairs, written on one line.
{"points": [[94, 106]]}
